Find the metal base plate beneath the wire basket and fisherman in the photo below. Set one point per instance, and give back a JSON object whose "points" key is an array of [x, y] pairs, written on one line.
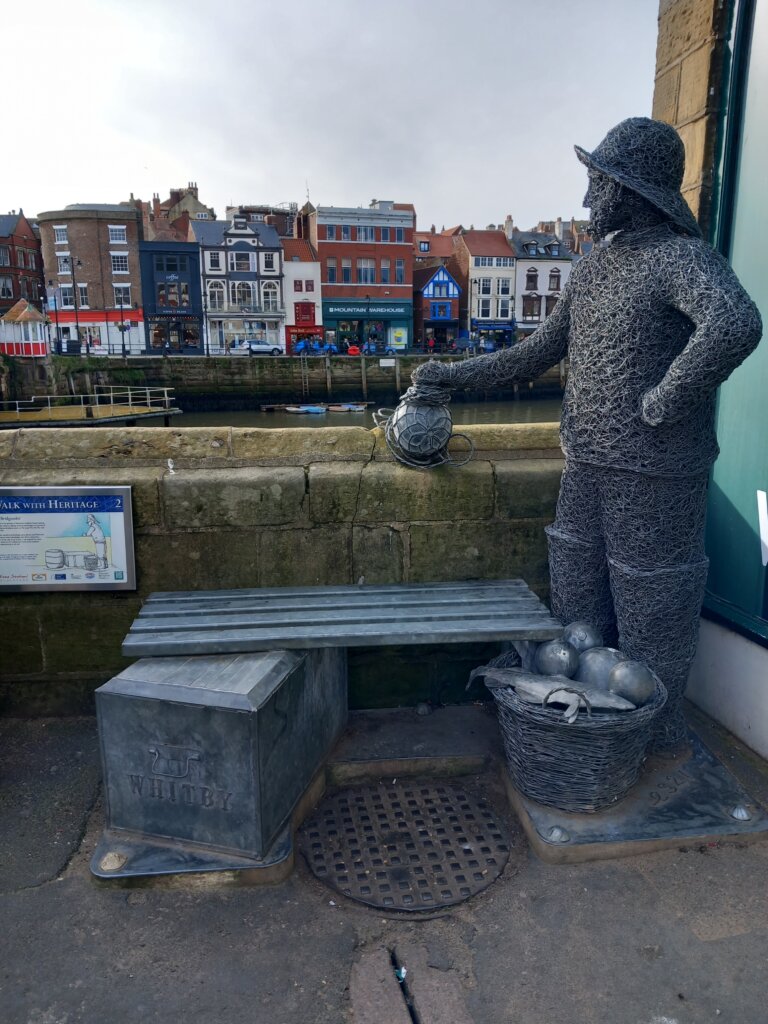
{"points": [[688, 800]]}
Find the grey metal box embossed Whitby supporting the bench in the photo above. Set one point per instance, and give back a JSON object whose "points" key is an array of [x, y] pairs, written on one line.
{"points": [[216, 751]]}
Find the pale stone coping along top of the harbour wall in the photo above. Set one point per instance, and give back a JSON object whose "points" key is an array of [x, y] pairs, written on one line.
{"points": [[228, 446]]}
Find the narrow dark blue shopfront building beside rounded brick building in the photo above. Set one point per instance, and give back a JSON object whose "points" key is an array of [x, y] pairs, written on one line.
{"points": [[170, 285]]}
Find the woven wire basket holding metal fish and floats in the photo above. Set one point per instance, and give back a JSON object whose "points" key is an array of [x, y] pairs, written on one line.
{"points": [[583, 766]]}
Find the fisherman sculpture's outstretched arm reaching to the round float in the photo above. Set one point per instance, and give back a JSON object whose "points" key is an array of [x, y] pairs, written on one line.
{"points": [[522, 363]]}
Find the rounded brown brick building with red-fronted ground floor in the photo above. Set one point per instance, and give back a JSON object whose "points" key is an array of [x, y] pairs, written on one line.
{"points": [[91, 257]]}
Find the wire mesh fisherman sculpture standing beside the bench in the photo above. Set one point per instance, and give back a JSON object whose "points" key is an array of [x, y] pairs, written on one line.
{"points": [[653, 322]]}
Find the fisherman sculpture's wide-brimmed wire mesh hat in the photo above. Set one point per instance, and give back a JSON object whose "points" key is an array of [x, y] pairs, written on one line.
{"points": [[648, 157]]}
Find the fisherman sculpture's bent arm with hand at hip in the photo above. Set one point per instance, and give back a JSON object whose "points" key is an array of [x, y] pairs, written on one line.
{"points": [[728, 329]]}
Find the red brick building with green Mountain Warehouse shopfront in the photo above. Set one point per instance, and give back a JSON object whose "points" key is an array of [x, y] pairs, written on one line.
{"points": [[367, 264]]}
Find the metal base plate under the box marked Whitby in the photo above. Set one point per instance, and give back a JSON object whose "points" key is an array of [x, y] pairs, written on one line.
{"points": [[119, 856]]}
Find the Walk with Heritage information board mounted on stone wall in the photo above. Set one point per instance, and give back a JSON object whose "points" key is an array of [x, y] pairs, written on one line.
{"points": [[67, 539]]}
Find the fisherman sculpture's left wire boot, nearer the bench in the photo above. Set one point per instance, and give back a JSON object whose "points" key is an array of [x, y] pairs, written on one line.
{"points": [[581, 589]]}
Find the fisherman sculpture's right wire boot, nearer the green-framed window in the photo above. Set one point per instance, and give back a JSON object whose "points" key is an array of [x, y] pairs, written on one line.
{"points": [[658, 613]]}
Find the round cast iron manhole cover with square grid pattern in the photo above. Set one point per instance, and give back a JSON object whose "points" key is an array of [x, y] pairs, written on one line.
{"points": [[405, 847]]}
